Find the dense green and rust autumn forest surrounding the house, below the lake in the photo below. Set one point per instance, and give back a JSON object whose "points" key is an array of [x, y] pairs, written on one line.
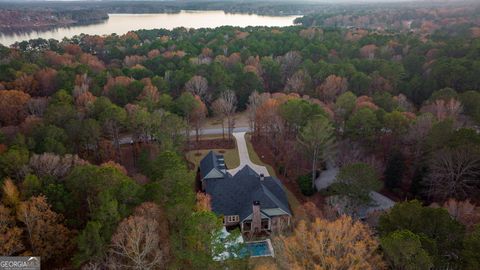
{"points": [[397, 111]]}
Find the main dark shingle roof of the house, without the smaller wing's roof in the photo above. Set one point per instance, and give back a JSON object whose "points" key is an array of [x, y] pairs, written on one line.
{"points": [[234, 195]]}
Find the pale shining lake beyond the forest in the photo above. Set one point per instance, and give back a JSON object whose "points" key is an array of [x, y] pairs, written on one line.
{"points": [[122, 23]]}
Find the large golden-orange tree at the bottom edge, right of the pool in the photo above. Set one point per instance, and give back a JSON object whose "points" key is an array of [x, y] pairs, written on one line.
{"points": [[323, 244]]}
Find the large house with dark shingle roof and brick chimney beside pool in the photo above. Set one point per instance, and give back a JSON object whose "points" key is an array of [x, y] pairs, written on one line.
{"points": [[256, 203]]}
